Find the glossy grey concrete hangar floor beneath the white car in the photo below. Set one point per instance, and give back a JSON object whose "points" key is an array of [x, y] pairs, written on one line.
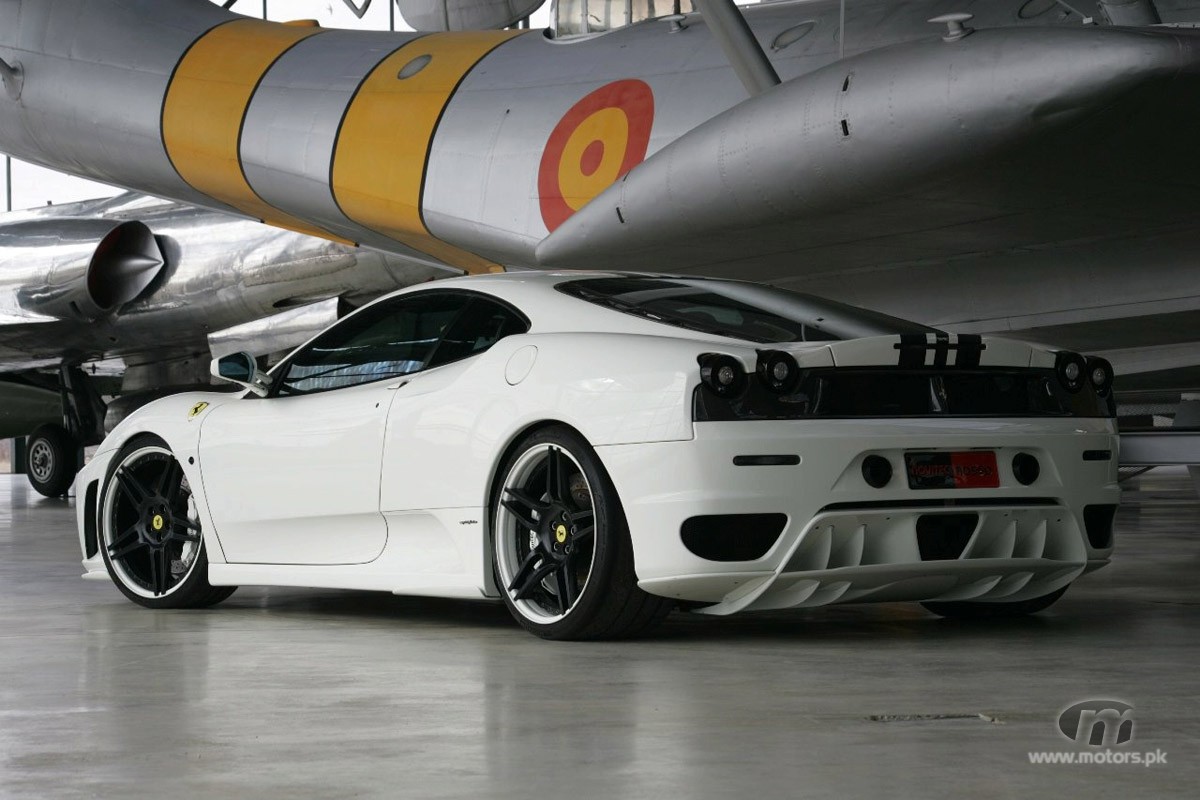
{"points": [[340, 695]]}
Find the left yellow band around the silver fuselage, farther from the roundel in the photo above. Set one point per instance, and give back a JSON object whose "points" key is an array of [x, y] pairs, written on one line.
{"points": [[206, 106]]}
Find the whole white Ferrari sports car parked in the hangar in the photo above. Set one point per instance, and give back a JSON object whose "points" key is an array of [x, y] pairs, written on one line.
{"points": [[596, 449]]}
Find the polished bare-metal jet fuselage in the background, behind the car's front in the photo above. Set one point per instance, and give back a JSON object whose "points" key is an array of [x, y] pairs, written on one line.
{"points": [[218, 272]]}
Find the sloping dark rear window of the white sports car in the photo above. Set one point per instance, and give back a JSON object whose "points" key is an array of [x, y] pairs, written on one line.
{"points": [[745, 311]]}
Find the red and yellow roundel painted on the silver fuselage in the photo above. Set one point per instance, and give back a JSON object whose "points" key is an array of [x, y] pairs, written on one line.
{"points": [[602, 139]]}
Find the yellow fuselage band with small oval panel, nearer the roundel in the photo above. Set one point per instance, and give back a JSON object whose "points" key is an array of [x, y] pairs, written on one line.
{"points": [[383, 148]]}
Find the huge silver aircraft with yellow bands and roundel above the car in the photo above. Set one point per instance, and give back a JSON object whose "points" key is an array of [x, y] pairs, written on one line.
{"points": [[1009, 181]]}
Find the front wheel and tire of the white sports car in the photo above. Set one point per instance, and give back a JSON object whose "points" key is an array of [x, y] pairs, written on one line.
{"points": [[149, 533]]}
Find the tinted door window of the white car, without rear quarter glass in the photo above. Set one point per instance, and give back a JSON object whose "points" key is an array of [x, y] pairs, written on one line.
{"points": [[388, 341]]}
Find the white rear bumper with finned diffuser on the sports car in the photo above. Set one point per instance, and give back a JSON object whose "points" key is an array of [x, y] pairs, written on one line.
{"points": [[847, 542]]}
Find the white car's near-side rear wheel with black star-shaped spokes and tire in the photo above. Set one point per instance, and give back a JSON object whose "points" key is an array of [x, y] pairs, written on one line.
{"points": [[562, 555]]}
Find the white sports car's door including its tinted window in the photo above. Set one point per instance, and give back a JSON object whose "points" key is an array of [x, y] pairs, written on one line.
{"points": [[295, 478]]}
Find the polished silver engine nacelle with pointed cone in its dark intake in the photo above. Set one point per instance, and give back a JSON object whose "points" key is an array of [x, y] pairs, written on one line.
{"points": [[82, 269]]}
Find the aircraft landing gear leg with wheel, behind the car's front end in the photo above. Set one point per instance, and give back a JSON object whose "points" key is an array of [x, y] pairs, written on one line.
{"points": [[55, 453]]}
